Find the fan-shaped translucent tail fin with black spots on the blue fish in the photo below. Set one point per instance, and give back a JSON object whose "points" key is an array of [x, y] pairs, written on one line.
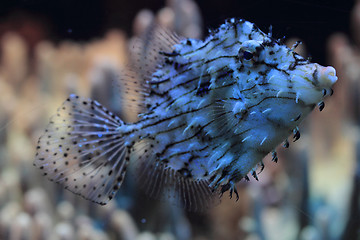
{"points": [[83, 149]]}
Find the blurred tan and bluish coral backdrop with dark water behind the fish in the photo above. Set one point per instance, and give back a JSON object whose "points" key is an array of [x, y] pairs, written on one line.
{"points": [[51, 49]]}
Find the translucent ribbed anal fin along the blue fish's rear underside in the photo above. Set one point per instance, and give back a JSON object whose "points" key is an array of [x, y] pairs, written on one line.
{"points": [[163, 182]]}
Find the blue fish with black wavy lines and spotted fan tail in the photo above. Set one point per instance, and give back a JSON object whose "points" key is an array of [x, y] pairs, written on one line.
{"points": [[213, 110]]}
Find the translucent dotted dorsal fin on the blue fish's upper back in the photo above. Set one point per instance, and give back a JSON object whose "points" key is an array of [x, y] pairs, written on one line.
{"points": [[145, 56]]}
